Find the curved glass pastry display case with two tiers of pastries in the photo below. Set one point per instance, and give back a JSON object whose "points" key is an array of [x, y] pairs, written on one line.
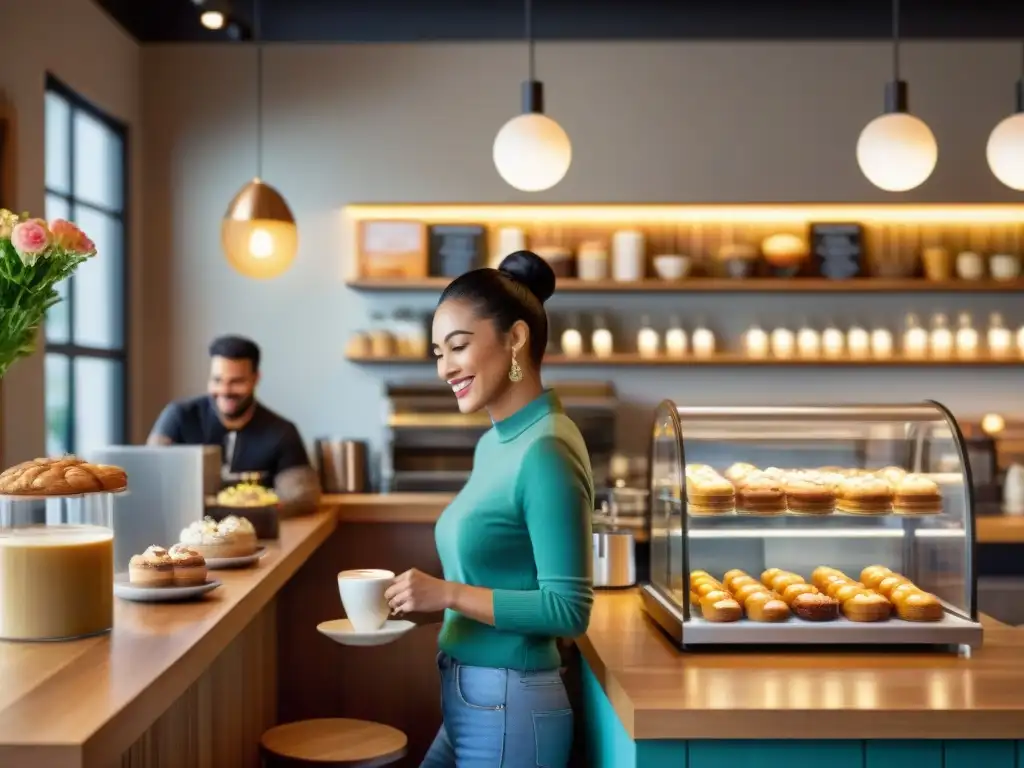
{"points": [[842, 526]]}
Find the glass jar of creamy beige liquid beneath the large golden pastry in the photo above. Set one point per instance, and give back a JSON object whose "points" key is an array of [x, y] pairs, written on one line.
{"points": [[57, 567]]}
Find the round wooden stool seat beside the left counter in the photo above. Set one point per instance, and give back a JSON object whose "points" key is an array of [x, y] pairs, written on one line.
{"points": [[354, 744]]}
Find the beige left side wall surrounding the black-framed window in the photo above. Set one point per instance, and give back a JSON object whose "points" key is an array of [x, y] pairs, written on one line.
{"points": [[79, 45]]}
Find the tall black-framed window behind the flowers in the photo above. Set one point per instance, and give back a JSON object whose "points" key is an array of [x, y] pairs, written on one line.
{"points": [[87, 333]]}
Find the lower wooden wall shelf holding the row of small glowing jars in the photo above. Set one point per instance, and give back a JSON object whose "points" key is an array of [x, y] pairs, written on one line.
{"points": [[729, 360]]}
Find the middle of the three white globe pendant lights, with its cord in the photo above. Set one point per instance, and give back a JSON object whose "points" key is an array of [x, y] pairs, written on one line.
{"points": [[898, 152]]}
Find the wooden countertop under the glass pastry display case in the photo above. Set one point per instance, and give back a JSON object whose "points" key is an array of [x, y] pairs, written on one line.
{"points": [[661, 693]]}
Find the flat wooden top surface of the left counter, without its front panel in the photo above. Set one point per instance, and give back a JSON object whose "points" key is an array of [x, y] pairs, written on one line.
{"points": [[86, 702]]}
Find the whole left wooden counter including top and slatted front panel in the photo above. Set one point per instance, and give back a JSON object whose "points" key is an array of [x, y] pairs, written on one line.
{"points": [[188, 685]]}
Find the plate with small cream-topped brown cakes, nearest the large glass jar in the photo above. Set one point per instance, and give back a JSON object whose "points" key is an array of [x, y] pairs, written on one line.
{"points": [[165, 576]]}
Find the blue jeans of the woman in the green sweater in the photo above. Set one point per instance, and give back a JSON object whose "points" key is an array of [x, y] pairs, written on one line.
{"points": [[497, 718]]}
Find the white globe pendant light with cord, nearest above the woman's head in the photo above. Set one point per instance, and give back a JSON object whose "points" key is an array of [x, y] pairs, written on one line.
{"points": [[532, 152]]}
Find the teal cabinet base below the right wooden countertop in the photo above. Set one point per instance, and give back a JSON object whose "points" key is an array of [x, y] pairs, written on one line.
{"points": [[609, 746]]}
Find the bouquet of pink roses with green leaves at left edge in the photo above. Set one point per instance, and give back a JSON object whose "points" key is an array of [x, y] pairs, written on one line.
{"points": [[34, 258]]}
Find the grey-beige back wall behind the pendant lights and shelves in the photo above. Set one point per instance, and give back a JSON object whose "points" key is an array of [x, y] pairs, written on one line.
{"points": [[668, 122]]}
